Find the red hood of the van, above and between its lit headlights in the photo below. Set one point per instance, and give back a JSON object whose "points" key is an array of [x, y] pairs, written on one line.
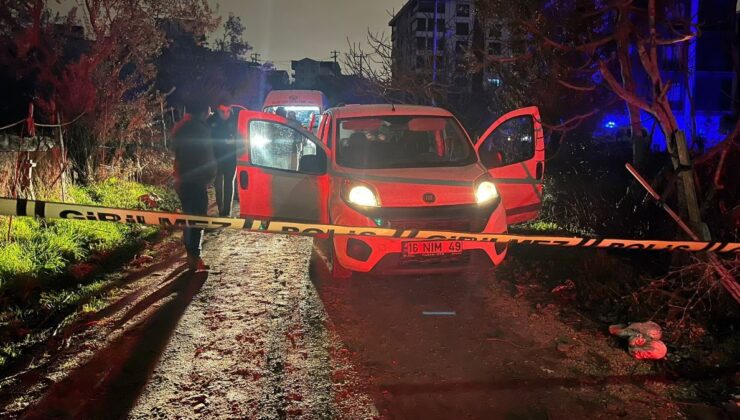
{"points": [[414, 187]]}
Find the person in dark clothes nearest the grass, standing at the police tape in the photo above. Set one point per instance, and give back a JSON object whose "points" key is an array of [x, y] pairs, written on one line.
{"points": [[194, 171]]}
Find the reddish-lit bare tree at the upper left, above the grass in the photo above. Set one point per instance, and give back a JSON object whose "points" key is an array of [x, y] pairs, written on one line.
{"points": [[108, 84]]}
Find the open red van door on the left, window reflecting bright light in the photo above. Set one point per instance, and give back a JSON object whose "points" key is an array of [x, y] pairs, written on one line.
{"points": [[281, 170]]}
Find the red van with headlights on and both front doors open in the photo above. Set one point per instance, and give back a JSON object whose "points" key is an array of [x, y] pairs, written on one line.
{"points": [[394, 166]]}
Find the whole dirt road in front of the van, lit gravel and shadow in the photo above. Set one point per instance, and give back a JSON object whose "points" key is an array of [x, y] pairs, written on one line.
{"points": [[266, 334]]}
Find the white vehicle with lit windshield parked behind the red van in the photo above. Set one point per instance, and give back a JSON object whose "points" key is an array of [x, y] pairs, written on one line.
{"points": [[308, 105]]}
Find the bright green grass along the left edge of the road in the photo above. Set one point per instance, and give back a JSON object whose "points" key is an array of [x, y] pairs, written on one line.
{"points": [[38, 287]]}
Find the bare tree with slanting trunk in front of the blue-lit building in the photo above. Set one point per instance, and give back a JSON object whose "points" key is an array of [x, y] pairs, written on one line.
{"points": [[585, 39]]}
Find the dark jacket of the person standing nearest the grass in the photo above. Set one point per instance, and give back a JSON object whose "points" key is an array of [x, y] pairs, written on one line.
{"points": [[194, 161]]}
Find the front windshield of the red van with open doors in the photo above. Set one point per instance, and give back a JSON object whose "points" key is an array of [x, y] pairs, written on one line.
{"points": [[402, 142]]}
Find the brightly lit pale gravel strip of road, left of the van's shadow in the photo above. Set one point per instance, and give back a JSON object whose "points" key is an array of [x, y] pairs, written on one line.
{"points": [[253, 343]]}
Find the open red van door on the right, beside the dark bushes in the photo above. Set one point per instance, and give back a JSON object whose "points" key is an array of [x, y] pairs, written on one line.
{"points": [[513, 151]]}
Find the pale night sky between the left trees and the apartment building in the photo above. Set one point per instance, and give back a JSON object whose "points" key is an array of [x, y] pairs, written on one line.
{"points": [[284, 30]]}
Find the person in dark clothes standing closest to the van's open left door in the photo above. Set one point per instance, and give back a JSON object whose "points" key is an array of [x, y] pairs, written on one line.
{"points": [[223, 134]]}
